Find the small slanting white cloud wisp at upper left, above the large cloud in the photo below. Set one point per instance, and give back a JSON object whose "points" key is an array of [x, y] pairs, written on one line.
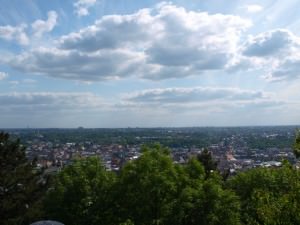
{"points": [[40, 27]]}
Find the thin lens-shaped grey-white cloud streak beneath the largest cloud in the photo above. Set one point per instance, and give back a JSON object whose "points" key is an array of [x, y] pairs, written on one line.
{"points": [[195, 95]]}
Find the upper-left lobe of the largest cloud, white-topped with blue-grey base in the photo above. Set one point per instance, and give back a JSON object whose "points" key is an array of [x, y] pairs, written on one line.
{"points": [[112, 32]]}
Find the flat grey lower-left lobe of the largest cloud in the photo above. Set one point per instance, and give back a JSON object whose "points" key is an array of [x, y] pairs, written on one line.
{"points": [[75, 65]]}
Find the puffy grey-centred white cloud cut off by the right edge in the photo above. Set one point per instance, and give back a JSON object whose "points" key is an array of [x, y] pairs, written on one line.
{"points": [[275, 52]]}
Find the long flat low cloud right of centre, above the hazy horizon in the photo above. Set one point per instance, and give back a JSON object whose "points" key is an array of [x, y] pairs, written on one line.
{"points": [[205, 98]]}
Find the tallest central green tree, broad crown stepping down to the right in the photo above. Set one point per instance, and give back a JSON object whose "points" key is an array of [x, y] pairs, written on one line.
{"points": [[154, 190]]}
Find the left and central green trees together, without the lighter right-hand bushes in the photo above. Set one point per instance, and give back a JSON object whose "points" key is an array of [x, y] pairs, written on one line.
{"points": [[149, 190]]}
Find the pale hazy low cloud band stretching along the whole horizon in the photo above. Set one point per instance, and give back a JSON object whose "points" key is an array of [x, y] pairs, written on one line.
{"points": [[155, 107]]}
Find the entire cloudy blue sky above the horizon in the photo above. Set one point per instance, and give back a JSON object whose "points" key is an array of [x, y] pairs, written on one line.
{"points": [[130, 63]]}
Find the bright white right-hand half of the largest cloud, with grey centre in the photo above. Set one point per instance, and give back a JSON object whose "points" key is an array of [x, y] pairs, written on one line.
{"points": [[195, 39]]}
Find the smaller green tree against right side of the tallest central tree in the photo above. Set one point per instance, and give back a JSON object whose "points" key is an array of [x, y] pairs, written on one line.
{"points": [[202, 200]]}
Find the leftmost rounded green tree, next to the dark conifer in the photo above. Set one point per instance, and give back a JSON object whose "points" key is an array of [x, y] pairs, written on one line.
{"points": [[81, 194]]}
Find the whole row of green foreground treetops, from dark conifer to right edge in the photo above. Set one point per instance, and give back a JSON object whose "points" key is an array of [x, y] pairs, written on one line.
{"points": [[153, 190]]}
